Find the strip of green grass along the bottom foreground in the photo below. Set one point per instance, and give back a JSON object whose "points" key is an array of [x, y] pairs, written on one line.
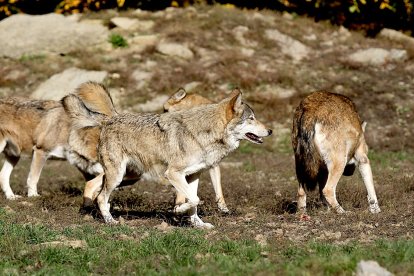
{"points": [[183, 251]]}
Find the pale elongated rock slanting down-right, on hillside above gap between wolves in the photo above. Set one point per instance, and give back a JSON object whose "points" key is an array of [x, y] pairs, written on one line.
{"points": [[288, 45]]}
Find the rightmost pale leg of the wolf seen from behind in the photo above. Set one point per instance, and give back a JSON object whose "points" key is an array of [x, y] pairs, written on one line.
{"points": [[366, 173]]}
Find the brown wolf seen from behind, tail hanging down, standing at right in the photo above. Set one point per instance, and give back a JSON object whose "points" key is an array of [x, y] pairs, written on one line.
{"points": [[328, 141]]}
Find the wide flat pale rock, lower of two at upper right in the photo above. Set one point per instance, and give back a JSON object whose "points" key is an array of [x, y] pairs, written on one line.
{"points": [[377, 56]]}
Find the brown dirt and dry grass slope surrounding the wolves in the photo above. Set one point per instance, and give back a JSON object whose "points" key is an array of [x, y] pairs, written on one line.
{"points": [[259, 182]]}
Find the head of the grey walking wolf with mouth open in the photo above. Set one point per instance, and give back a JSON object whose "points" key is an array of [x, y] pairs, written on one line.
{"points": [[242, 122]]}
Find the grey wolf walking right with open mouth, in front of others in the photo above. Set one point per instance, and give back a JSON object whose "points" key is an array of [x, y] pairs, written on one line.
{"points": [[175, 146]]}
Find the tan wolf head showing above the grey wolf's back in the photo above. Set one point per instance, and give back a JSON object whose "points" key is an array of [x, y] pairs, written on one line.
{"points": [[183, 101]]}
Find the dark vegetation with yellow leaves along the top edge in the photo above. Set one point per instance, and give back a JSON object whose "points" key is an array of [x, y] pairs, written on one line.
{"points": [[367, 15]]}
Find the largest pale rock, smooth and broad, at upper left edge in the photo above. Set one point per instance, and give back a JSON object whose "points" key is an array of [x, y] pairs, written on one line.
{"points": [[23, 34]]}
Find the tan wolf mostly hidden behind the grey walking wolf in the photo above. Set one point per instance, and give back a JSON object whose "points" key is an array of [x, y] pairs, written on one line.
{"points": [[180, 100]]}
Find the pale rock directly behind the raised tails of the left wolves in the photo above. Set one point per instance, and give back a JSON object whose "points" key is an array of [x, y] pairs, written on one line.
{"points": [[66, 82]]}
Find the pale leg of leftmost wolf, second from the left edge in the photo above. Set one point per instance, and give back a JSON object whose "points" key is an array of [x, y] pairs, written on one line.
{"points": [[38, 161]]}
